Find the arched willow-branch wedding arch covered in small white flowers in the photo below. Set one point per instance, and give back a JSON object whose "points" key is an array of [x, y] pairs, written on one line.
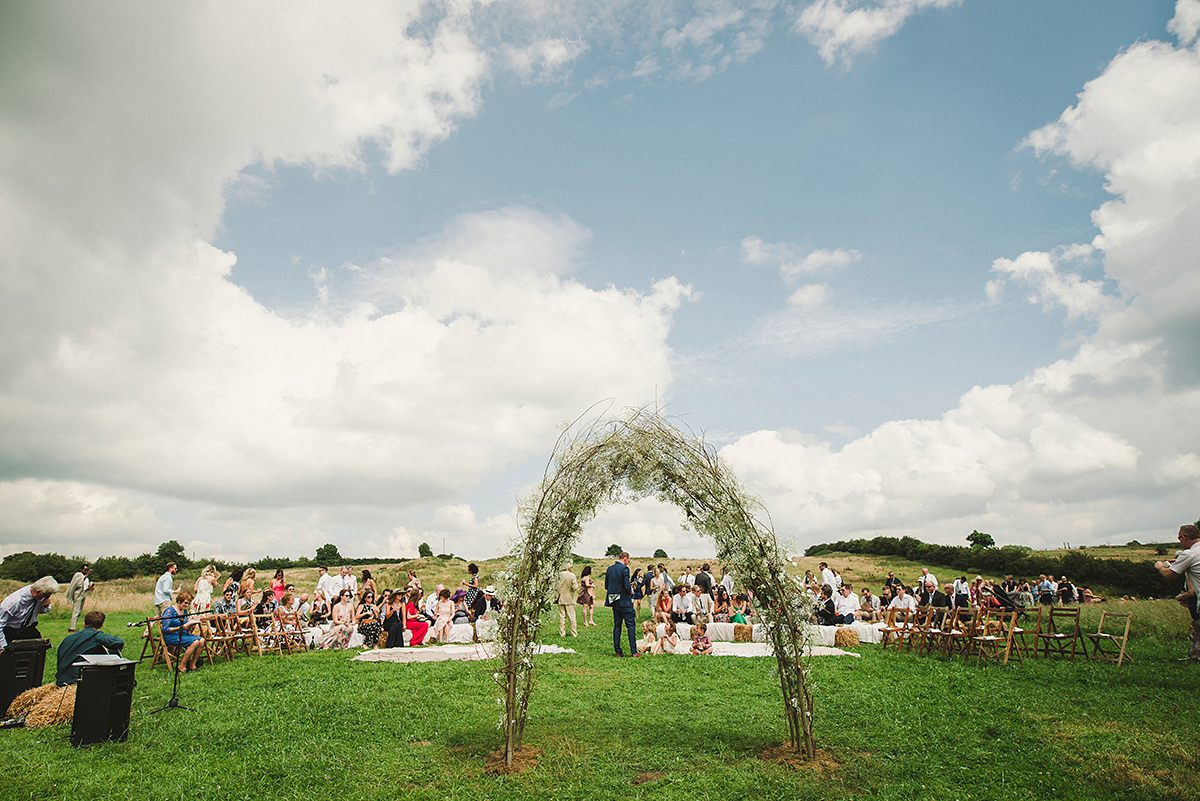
{"points": [[635, 456]]}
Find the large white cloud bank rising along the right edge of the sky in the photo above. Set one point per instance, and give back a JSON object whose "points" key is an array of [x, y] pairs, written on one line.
{"points": [[1099, 447]]}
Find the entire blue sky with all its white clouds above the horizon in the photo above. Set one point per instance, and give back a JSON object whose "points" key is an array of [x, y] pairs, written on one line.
{"points": [[813, 231]]}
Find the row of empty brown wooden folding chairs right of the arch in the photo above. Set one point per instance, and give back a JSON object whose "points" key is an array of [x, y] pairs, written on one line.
{"points": [[997, 635]]}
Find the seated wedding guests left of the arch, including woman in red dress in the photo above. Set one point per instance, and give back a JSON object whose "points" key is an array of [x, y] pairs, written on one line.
{"points": [[341, 605]]}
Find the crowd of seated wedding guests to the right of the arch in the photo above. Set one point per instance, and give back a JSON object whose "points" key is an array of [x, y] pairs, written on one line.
{"points": [[838, 604]]}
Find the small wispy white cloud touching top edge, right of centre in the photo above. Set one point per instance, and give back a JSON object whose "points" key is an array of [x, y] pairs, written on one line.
{"points": [[844, 29]]}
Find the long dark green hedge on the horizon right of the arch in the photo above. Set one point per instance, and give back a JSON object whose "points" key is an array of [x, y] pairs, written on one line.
{"points": [[1118, 575]]}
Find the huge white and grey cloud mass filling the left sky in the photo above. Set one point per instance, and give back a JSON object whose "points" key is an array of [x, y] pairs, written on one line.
{"points": [[135, 368]]}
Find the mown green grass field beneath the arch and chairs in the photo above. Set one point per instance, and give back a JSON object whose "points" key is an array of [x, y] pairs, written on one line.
{"points": [[891, 726]]}
